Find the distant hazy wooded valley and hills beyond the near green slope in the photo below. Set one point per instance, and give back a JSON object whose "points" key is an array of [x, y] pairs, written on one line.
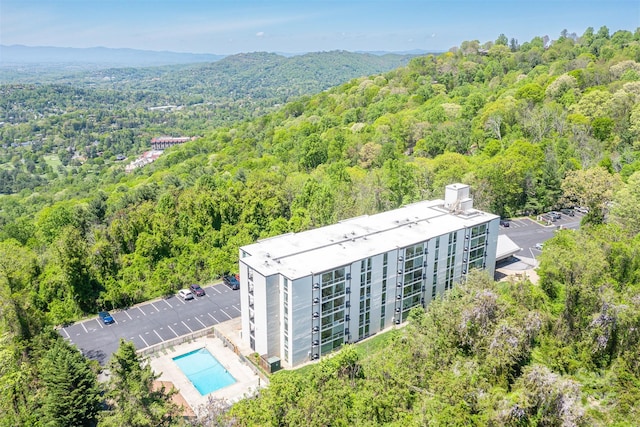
{"points": [[79, 123]]}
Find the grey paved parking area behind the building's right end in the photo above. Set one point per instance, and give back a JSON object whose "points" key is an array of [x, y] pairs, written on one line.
{"points": [[526, 232]]}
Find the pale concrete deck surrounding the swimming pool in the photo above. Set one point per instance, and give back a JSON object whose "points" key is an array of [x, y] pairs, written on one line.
{"points": [[247, 381]]}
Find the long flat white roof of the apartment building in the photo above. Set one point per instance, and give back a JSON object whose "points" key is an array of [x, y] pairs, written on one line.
{"points": [[296, 255]]}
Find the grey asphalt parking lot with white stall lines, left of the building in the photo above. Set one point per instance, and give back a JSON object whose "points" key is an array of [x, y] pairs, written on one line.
{"points": [[153, 322]]}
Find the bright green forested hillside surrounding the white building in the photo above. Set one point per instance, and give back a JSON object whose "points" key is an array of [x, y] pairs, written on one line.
{"points": [[532, 126]]}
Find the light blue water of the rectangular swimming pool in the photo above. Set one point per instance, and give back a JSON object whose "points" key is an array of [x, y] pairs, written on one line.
{"points": [[204, 371]]}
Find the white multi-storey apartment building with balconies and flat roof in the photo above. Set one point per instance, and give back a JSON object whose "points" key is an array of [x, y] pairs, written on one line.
{"points": [[303, 295]]}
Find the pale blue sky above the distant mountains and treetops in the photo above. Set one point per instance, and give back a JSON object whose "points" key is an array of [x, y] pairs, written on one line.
{"points": [[233, 26]]}
